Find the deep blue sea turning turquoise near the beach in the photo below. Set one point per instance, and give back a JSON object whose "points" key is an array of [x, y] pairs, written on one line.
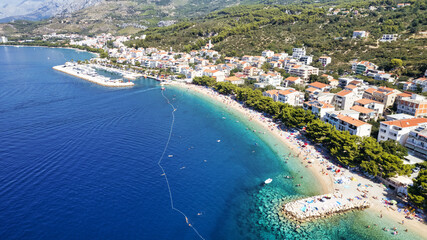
{"points": [[80, 161]]}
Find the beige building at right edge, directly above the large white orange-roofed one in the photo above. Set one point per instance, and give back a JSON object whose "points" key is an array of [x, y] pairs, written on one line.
{"points": [[414, 105]]}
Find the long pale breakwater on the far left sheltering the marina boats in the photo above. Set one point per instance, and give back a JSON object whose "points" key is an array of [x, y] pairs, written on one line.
{"points": [[89, 74]]}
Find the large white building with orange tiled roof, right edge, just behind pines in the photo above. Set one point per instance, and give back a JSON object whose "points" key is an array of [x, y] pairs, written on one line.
{"points": [[399, 130]]}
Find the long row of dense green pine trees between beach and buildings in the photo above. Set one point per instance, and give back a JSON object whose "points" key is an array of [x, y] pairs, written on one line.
{"points": [[378, 159]]}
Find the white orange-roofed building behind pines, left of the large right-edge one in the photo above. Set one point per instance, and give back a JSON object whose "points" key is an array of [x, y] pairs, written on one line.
{"points": [[346, 123]]}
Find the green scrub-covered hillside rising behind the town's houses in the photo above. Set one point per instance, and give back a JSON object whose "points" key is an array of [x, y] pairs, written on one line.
{"points": [[251, 29]]}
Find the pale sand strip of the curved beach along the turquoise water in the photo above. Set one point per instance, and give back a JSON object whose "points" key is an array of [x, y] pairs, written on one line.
{"points": [[317, 162]]}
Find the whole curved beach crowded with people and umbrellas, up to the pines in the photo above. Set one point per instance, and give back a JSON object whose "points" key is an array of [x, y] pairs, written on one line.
{"points": [[331, 177]]}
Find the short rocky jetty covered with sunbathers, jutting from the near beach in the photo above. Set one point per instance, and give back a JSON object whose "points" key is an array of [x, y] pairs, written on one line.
{"points": [[323, 206]]}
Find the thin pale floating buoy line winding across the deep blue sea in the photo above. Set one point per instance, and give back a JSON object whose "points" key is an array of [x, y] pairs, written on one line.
{"points": [[187, 220]]}
